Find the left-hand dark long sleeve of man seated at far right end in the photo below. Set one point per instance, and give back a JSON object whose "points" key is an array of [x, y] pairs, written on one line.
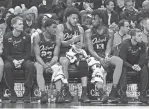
{"points": [[123, 54]]}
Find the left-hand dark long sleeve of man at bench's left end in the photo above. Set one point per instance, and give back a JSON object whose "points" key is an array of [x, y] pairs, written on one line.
{"points": [[7, 50]]}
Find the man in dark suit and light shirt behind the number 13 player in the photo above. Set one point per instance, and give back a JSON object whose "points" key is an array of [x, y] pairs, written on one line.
{"points": [[110, 16]]}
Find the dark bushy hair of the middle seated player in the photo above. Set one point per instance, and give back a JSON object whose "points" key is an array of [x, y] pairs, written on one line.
{"points": [[70, 11]]}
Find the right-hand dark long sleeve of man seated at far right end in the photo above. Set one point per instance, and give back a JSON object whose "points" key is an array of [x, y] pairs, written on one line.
{"points": [[143, 56]]}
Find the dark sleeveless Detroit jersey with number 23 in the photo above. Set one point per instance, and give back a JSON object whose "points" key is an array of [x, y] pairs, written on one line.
{"points": [[46, 48]]}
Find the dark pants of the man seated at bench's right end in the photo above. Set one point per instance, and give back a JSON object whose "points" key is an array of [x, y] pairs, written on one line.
{"points": [[143, 79]]}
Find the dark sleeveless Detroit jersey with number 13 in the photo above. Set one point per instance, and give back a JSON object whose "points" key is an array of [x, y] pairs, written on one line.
{"points": [[99, 41]]}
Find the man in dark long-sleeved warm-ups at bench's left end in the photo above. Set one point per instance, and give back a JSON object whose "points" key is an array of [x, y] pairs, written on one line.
{"points": [[17, 54]]}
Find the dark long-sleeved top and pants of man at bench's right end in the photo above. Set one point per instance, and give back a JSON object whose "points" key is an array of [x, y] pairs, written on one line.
{"points": [[133, 54]]}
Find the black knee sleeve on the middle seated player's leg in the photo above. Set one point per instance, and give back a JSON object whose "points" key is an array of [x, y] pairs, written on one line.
{"points": [[83, 68]]}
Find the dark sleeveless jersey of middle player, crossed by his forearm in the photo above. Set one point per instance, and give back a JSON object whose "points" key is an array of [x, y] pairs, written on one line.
{"points": [[68, 34]]}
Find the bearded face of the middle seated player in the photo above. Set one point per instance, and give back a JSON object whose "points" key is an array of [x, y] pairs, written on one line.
{"points": [[73, 19]]}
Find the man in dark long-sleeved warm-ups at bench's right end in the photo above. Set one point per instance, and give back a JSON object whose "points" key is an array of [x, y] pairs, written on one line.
{"points": [[133, 53]]}
